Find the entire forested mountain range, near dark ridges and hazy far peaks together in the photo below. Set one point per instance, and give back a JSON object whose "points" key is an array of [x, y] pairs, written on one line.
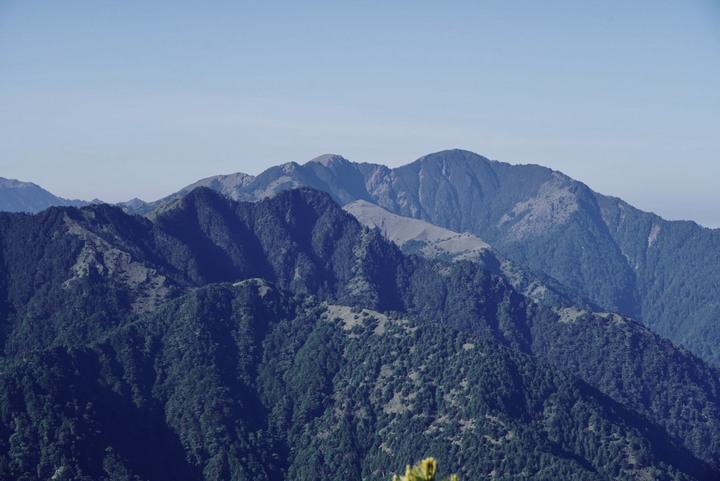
{"points": [[505, 319]]}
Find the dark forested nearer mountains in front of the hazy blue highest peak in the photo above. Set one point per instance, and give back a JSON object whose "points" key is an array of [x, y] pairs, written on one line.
{"points": [[345, 357]]}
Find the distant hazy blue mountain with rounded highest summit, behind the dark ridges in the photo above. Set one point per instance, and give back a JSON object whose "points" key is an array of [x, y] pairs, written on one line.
{"points": [[664, 273]]}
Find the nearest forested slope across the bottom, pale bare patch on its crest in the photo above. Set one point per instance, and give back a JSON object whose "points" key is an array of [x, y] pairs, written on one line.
{"points": [[246, 382]]}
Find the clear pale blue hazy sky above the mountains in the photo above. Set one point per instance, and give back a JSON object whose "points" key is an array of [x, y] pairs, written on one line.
{"points": [[122, 99]]}
